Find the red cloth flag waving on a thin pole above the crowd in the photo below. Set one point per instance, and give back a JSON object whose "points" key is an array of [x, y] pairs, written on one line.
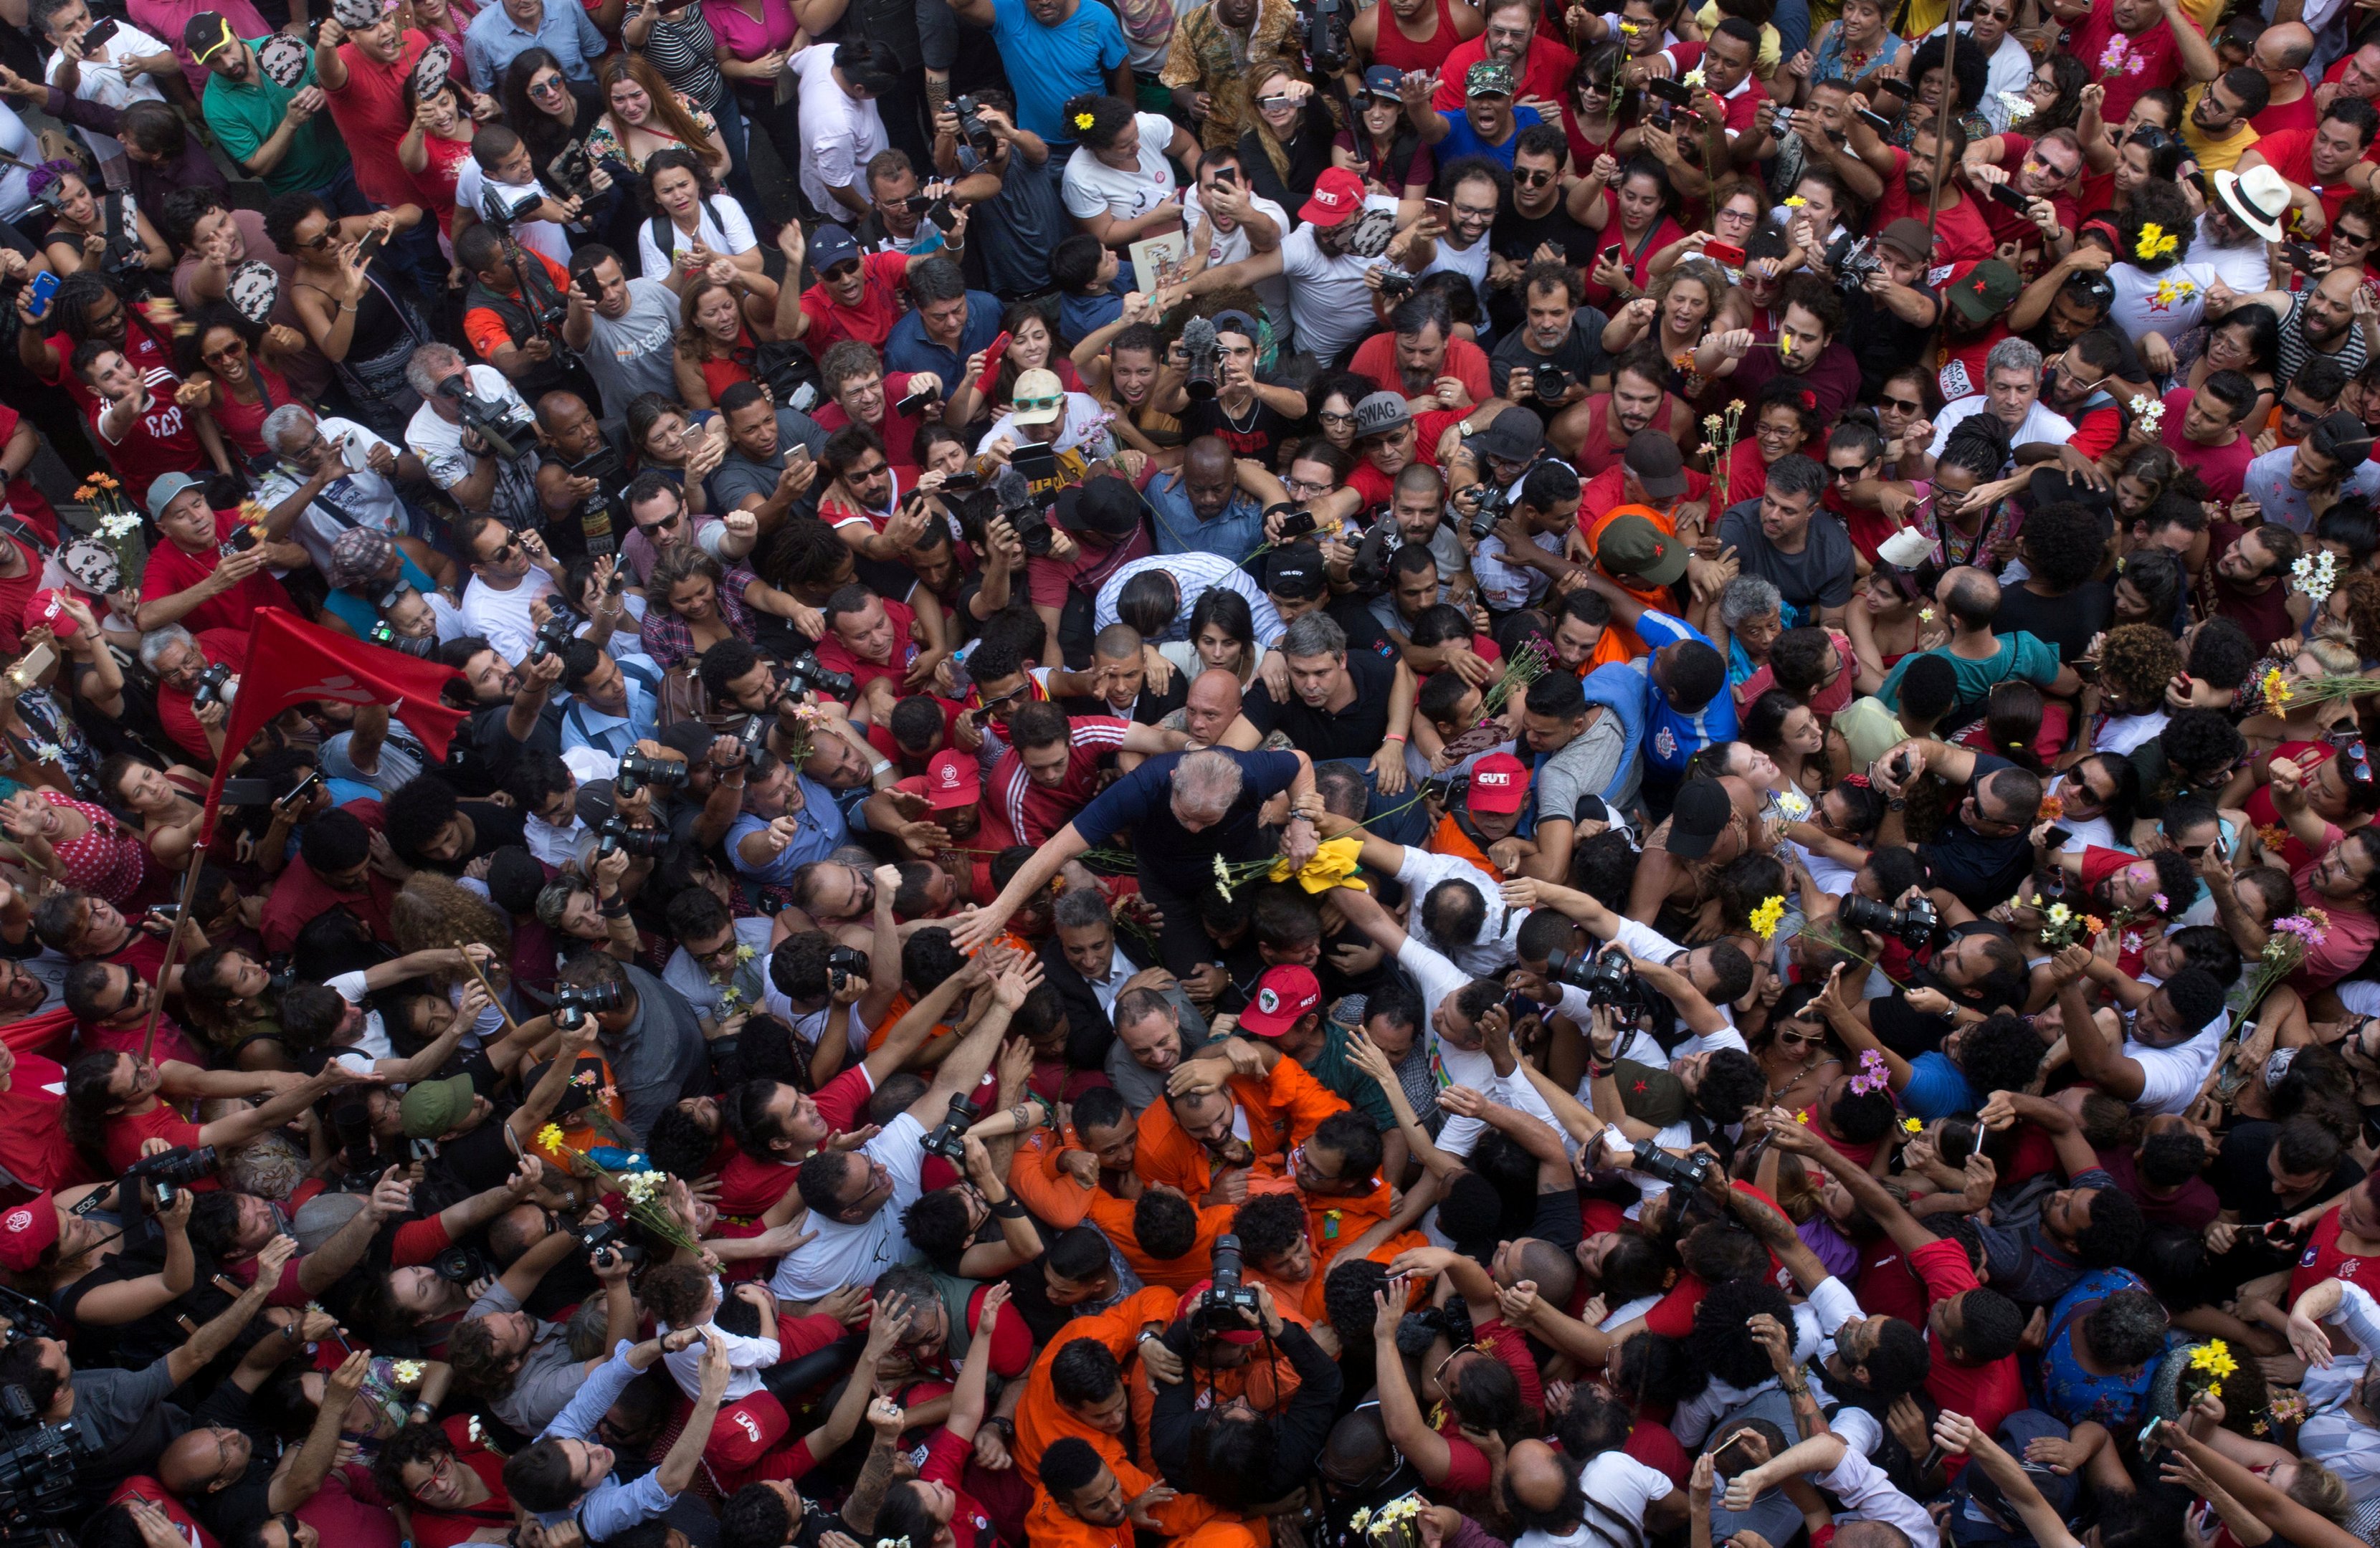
{"points": [[292, 662]]}
